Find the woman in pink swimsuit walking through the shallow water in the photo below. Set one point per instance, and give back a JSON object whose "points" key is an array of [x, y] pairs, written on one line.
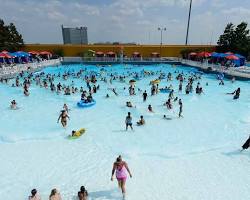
{"points": [[120, 167]]}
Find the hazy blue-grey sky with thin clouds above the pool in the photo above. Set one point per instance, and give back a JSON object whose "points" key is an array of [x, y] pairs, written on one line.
{"points": [[39, 21]]}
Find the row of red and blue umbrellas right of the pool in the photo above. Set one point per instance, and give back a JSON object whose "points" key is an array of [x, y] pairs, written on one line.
{"points": [[227, 55]]}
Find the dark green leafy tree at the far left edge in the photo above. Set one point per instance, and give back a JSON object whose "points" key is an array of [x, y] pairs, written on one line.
{"points": [[10, 38]]}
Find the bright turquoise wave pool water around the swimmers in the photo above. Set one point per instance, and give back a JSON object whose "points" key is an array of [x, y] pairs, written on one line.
{"points": [[195, 157]]}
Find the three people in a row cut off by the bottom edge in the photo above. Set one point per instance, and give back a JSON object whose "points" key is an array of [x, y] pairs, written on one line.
{"points": [[55, 194]]}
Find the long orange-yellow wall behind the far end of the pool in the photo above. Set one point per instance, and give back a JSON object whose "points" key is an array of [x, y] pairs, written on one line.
{"points": [[145, 50]]}
